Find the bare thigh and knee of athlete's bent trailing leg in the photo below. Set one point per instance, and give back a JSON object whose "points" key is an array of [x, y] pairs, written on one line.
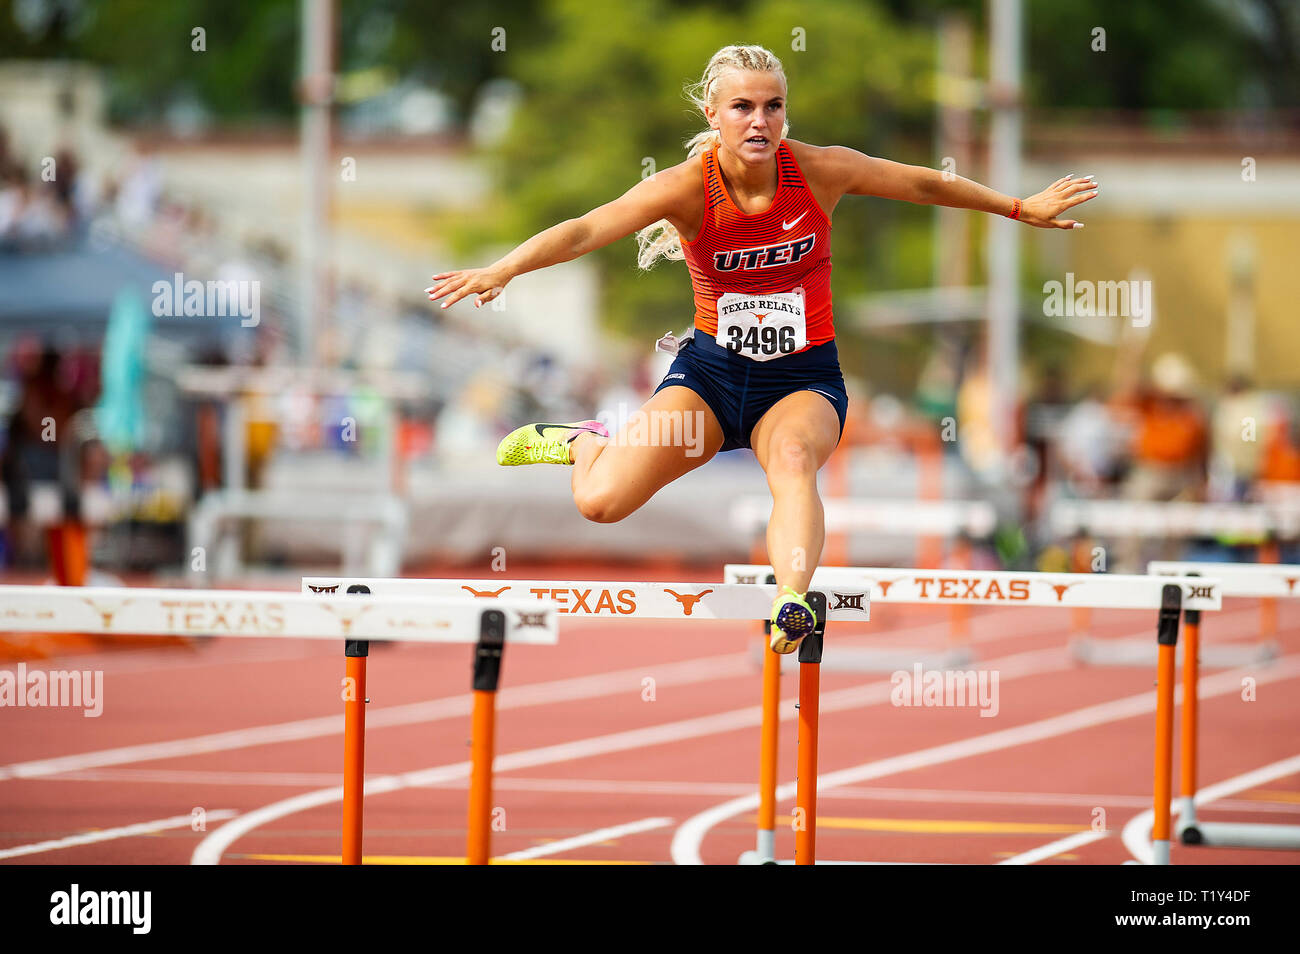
{"points": [[616, 476]]}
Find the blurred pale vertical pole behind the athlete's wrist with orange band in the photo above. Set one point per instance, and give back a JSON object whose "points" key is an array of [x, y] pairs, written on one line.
{"points": [[1004, 238]]}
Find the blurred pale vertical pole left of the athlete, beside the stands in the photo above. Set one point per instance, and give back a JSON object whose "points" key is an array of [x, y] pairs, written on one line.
{"points": [[317, 93]]}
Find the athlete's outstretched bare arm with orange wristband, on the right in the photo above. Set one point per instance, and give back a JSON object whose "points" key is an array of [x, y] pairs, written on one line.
{"points": [[860, 175]]}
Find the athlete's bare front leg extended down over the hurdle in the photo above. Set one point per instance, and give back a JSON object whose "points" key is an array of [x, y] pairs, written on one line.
{"points": [[792, 441]]}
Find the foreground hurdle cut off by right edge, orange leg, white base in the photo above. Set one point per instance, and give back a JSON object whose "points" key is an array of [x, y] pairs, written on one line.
{"points": [[1237, 580]]}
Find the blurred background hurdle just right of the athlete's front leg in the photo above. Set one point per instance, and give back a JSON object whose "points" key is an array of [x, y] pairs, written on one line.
{"points": [[960, 521]]}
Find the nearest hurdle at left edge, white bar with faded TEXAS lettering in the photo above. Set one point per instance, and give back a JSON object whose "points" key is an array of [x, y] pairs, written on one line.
{"points": [[356, 618]]}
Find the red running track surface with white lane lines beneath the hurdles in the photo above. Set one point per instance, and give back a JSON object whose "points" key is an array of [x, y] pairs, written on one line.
{"points": [[642, 728]]}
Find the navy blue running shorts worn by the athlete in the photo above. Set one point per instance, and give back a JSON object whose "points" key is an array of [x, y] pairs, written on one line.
{"points": [[742, 391]]}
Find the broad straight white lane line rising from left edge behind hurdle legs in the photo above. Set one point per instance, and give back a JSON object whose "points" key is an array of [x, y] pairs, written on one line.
{"points": [[538, 695]]}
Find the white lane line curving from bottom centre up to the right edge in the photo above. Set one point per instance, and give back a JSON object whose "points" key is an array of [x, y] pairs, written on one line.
{"points": [[690, 836]]}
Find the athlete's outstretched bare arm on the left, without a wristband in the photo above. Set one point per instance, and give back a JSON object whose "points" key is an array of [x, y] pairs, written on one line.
{"points": [[647, 202]]}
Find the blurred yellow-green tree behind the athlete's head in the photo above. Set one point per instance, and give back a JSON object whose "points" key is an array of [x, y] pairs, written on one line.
{"points": [[605, 94]]}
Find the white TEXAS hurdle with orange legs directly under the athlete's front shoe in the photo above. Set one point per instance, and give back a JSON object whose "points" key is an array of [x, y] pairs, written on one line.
{"points": [[729, 601]]}
